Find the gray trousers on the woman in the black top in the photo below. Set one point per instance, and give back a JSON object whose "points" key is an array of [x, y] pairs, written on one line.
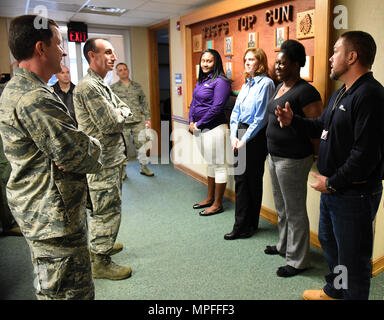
{"points": [[289, 185]]}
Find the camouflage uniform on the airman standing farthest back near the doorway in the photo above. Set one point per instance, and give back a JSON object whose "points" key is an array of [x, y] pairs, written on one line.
{"points": [[132, 94]]}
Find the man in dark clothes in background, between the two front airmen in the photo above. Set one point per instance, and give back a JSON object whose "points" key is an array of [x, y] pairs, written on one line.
{"points": [[64, 89]]}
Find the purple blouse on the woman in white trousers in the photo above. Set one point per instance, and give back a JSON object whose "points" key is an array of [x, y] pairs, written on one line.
{"points": [[209, 98]]}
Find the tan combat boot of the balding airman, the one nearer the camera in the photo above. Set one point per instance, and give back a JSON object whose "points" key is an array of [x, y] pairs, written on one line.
{"points": [[104, 268]]}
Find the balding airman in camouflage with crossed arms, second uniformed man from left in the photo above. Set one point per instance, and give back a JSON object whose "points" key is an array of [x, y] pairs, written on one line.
{"points": [[101, 114]]}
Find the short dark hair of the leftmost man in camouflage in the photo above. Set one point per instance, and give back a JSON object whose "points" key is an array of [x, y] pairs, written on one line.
{"points": [[23, 35]]}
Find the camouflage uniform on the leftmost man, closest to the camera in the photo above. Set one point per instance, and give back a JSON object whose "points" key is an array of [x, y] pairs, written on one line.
{"points": [[48, 204]]}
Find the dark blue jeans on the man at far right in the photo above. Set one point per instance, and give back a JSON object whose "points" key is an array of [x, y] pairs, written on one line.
{"points": [[346, 236]]}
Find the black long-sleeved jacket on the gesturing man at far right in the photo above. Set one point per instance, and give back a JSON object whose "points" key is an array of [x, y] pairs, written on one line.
{"points": [[351, 150]]}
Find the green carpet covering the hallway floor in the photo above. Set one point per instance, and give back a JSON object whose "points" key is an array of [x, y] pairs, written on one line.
{"points": [[177, 255]]}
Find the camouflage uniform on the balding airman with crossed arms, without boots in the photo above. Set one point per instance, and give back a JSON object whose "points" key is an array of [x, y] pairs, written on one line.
{"points": [[97, 111]]}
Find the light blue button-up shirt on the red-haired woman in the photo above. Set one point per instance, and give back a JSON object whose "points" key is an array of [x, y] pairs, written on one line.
{"points": [[251, 106]]}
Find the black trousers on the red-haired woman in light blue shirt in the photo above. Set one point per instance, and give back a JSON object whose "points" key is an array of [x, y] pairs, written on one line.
{"points": [[249, 185]]}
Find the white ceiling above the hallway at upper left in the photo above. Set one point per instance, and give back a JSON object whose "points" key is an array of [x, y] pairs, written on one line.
{"points": [[139, 12]]}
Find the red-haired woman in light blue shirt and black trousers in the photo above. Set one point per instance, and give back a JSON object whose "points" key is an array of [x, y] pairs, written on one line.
{"points": [[248, 124]]}
